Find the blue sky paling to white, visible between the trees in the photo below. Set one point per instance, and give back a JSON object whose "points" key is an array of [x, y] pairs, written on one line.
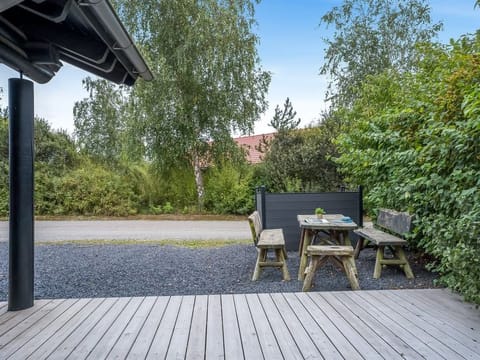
{"points": [[291, 48]]}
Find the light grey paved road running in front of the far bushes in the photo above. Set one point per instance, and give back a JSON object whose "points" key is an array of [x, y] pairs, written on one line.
{"points": [[135, 230]]}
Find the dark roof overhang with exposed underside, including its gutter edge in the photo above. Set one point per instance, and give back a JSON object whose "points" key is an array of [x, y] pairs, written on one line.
{"points": [[36, 36]]}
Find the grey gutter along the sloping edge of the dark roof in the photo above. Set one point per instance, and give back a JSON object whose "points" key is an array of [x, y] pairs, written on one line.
{"points": [[123, 42]]}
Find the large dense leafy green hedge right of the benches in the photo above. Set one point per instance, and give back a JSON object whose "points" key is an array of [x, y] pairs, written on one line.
{"points": [[417, 149]]}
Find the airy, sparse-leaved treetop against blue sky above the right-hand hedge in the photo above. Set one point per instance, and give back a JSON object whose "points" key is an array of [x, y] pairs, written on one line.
{"points": [[370, 37]]}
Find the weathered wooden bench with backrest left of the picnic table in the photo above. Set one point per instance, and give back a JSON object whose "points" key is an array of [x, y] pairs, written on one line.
{"points": [[265, 240]]}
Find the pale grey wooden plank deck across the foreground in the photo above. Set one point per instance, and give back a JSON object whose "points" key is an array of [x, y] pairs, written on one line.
{"points": [[390, 324]]}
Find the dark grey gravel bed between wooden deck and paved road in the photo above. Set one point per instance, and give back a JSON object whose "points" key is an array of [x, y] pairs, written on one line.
{"points": [[74, 271]]}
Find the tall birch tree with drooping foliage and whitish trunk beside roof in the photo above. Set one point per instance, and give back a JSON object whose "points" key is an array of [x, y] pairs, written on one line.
{"points": [[208, 78]]}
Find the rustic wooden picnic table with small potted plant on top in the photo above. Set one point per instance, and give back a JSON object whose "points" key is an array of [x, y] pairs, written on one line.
{"points": [[331, 225]]}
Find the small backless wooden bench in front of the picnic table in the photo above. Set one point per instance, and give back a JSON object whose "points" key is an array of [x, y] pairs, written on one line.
{"points": [[342, 256]]}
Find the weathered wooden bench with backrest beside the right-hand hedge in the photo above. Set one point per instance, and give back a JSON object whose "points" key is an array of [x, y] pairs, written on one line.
{"points": [[389, 230]]}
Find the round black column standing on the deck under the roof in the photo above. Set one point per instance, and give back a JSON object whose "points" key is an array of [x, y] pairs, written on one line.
{"points": [[20, 103]]}
